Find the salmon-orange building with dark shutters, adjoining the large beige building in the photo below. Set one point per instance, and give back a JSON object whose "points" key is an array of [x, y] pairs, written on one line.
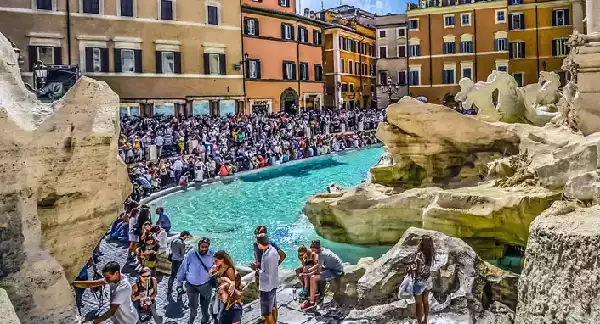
{"points": [[283, 58]]}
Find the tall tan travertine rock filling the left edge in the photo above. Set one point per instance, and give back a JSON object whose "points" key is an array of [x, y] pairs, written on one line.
{"points": [[61, 184]]}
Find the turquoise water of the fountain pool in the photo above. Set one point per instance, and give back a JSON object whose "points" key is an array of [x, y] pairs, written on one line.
{"points": [[227, 213]]}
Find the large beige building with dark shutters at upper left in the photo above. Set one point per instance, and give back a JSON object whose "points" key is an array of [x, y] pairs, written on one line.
{"points": [[161, 57]]}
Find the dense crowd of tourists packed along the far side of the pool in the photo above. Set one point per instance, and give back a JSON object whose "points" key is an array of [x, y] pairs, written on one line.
{"points": [[167, 151]]}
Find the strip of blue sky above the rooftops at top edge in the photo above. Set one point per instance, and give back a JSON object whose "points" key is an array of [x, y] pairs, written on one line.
{"points": [[374, 6]]}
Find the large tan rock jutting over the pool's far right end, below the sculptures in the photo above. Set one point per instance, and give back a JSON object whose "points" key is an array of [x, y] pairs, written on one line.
{"points": [[425, 147]]}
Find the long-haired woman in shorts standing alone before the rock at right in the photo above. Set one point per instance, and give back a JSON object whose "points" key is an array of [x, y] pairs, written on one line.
{"points": [[420, 269]]}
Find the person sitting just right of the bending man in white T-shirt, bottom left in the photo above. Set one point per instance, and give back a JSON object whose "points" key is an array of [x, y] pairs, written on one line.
{"points": [[143, 295]]}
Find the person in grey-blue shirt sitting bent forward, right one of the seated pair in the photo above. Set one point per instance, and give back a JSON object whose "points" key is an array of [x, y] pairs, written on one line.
{"points": [[331, 267]]}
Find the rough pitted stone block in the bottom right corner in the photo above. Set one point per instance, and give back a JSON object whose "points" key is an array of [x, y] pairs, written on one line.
{"points": [[561, 277]]}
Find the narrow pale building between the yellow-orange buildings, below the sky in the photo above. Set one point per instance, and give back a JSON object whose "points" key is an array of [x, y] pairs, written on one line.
{"points": [[392, 59]]}
